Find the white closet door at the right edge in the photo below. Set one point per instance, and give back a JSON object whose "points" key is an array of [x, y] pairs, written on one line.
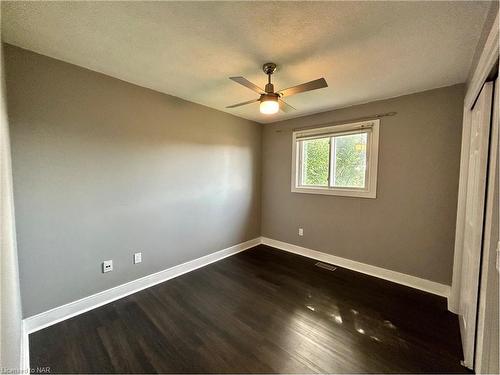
{"points": [[474, 217]]}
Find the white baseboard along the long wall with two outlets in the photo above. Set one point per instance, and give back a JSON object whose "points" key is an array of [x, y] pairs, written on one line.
{"points": [[58, 314]]}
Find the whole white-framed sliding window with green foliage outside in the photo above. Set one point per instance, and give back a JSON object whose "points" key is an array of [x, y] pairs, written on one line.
{"points": [[336, 160]]}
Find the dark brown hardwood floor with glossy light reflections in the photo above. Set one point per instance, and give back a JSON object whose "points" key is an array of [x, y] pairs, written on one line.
{"points": [[260, 311]]}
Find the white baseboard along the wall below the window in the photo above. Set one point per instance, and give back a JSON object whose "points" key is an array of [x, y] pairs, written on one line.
{"points": [[382, 273]]}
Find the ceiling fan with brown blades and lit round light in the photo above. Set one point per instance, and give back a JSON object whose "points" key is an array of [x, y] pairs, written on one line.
{"points": [[271, 101]]}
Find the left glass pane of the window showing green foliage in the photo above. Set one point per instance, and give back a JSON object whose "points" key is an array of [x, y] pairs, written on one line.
{"points": [[315, 155]]}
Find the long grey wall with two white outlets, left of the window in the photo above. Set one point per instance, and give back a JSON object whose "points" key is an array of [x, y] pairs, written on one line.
{"points": [[103, 169]]}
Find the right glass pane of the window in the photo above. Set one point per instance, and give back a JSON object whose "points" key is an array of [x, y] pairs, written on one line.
{"points": [[350, 160]]}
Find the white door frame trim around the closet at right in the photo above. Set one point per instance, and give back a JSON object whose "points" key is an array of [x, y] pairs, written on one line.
{"points": [[487, 62]]}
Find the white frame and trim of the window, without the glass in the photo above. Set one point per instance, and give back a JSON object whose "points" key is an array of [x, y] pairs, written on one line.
{"points": [[370, 190]]}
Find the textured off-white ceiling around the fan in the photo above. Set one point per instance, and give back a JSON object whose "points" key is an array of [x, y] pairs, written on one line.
{"points": [[365, 50]]}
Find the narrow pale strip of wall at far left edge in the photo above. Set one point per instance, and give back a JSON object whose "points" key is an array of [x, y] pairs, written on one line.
{"points": [[10, 298]]}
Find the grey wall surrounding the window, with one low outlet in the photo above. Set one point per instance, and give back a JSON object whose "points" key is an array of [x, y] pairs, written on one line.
{"points": [[410, 226]]}
